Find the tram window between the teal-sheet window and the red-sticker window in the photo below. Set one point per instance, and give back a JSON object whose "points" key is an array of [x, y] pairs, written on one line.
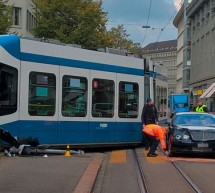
{"points": [[74, 96]]}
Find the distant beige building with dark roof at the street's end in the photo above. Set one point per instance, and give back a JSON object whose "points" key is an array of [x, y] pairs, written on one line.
{"points": [[164, 53]]}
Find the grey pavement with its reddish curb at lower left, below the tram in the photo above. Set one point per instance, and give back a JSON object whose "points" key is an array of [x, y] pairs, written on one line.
{"points": [[53, 174]]}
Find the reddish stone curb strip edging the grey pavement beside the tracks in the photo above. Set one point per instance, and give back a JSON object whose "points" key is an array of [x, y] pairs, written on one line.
{"points": [[86, 183]]}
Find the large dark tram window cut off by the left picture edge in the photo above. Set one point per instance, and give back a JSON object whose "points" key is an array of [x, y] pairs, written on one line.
{"points": [[8, 89]]}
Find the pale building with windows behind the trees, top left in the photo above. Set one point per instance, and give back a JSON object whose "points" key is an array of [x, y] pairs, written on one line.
{"points": [[24, 19]]}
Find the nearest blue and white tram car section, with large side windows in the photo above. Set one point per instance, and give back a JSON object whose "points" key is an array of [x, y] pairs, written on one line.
{"points": [[65, 95]]}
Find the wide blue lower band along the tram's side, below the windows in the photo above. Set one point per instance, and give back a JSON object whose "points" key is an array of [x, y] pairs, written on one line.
{"points": [[63, 132]]}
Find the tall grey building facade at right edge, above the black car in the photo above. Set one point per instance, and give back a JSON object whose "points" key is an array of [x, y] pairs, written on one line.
{"points": [[201, 14]]}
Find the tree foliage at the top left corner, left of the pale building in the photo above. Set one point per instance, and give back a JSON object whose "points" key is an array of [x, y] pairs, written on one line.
{"points": [[5, 17]]}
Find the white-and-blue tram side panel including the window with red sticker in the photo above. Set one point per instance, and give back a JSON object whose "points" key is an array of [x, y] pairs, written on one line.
{"points": [[102, 107]]}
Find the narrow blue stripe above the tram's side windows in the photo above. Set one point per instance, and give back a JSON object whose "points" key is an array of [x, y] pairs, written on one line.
{"points": [[79, 64]]}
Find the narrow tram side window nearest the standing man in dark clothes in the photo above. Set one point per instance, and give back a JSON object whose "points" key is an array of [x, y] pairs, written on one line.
{"points": [[128, 100]]}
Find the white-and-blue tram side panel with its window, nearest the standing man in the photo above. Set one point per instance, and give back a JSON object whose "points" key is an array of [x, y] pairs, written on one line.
{"points": [[130, 98]]}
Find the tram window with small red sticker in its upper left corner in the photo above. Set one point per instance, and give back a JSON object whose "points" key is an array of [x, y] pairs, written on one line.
{"points": [[103, 98]]}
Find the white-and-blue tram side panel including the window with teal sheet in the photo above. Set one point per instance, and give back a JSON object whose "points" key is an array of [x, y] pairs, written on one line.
{"points": [[39, 102]]}
